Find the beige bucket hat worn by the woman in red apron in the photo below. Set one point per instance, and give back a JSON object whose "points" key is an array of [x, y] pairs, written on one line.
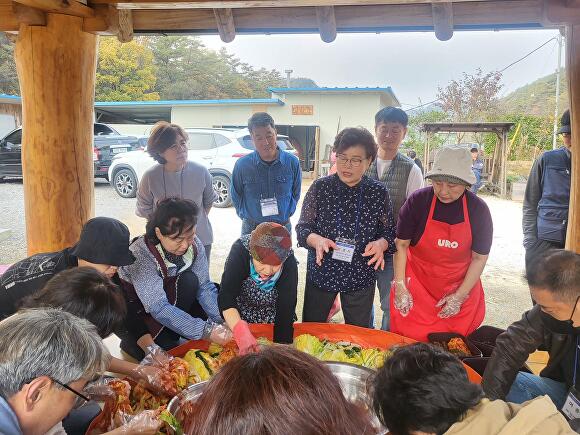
{"points": [[453, 164]]}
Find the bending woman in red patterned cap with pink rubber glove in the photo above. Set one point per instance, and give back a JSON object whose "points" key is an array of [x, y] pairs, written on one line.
{"points": [[259, 285]]}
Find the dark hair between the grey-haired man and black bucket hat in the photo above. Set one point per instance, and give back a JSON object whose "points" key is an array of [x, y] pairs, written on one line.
{"points": [[86, 293]]}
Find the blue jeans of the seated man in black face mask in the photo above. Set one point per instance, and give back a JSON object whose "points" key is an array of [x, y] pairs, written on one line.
{"points": [[527, 387]]}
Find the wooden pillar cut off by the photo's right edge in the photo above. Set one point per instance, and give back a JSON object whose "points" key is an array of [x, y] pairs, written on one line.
{"points": [[573, 69]]}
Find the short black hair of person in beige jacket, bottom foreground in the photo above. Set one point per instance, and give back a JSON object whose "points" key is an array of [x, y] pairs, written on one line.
{"points": [[422, 388]]}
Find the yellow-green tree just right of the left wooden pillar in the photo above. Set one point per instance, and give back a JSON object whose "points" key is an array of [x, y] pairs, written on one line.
{"points": [[125, 72]]}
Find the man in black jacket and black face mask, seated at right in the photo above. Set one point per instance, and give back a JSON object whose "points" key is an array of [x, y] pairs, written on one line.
{"points": [[553, 325]]}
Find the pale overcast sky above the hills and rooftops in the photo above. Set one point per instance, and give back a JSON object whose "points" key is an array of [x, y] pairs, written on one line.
{"points": [[413, 64]]}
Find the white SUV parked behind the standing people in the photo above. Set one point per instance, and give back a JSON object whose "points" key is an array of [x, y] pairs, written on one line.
{"points": [[217, 149]]}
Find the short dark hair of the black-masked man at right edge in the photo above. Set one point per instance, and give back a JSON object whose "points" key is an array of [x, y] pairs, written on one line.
{"points": [[557, 271]]}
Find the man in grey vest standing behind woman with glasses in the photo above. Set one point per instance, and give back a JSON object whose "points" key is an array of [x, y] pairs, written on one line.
{"points": [[401, 176]]}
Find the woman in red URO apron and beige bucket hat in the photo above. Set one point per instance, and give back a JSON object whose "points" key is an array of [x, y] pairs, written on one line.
{"points": [[444, 236]]}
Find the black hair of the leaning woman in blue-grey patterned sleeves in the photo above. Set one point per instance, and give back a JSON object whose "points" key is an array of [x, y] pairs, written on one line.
{"points": [[172, 216]]}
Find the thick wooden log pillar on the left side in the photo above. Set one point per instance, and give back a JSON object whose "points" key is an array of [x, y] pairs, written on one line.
{"points": [[56, 66]]}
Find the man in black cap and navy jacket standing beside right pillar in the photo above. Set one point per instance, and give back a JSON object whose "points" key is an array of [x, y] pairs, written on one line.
{"points": [[545, 209]]}
